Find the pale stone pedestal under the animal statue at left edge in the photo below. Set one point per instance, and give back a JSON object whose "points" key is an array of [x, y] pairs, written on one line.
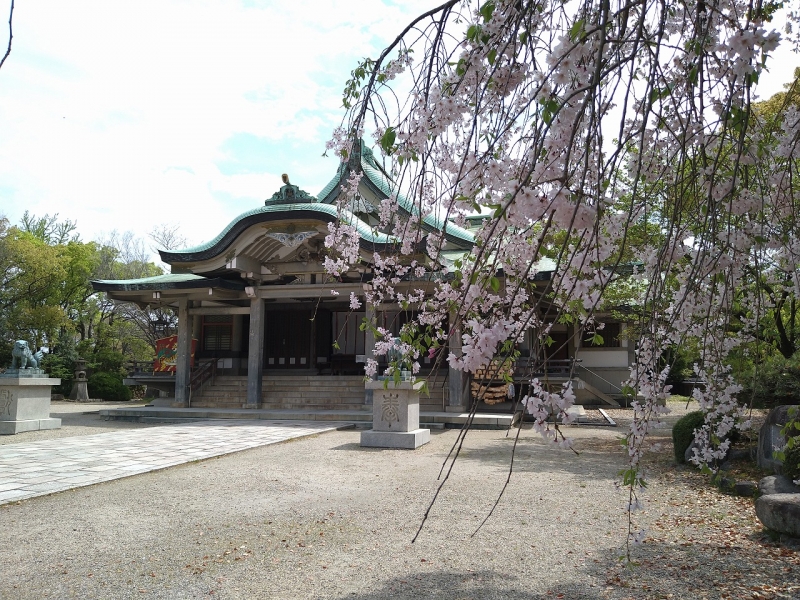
{"points": [[25, 402]]}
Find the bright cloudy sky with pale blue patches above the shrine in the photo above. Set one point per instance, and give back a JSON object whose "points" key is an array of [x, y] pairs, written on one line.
{"points": [[122, 116]]}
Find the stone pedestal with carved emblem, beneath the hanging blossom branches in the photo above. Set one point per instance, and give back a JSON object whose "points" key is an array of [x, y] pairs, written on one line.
{"points": [[395, 416]]}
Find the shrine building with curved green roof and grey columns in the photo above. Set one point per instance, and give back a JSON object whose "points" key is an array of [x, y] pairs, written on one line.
{"points": [[273, 330]]}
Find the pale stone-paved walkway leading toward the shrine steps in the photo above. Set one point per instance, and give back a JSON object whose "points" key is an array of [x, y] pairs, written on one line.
{"points": [[41, 468]]}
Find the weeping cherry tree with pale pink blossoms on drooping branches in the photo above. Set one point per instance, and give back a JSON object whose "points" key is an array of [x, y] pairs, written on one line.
{"points": [[601, 134]]}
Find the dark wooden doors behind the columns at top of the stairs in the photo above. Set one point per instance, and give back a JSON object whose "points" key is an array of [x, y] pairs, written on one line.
{"points": [[287, 339]]}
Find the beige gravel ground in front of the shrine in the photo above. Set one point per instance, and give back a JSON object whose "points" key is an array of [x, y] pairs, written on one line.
{"points": [[322, 518]]}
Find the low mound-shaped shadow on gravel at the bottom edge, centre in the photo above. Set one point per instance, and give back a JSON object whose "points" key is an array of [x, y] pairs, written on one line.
{"points": [[478, 585]]}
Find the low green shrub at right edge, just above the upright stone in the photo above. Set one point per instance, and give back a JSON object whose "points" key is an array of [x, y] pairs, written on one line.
{"points": [[774, 382]]}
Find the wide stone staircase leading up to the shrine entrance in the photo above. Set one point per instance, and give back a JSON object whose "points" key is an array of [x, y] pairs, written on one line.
{"points": [[298, 392]]}
